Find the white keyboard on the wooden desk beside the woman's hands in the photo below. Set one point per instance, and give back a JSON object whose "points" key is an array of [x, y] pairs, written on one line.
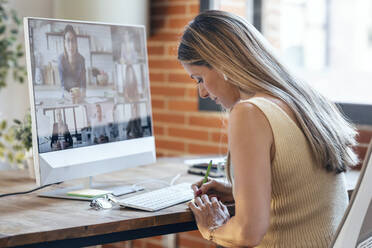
{"points": [[161, 198]]}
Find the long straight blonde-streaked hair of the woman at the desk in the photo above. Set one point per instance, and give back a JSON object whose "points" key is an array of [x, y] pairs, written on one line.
{"points": [[232, 46]]}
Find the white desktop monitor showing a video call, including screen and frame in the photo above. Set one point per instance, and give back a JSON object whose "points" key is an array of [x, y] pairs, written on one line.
{"points": [[90, 98]]}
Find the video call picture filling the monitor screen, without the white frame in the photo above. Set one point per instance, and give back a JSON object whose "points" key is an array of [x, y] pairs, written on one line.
{"points": [[90, 83]]}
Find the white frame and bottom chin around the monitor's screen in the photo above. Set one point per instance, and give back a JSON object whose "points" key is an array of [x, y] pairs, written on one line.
{"points": [[135, 152]]}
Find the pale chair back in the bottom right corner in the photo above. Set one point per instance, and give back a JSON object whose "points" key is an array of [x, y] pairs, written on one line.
{"points": [[355, 229]]}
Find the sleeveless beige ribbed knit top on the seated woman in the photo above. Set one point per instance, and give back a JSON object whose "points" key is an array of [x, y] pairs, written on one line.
{"points": [[307, 202]]}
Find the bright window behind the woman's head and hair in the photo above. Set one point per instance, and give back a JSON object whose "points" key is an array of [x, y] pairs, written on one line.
{"points": [[326, 43]]}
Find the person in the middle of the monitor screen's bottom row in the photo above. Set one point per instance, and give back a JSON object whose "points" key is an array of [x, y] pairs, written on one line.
{"points": [[100, 130]]}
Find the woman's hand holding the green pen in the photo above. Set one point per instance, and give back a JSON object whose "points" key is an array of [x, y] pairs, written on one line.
{"points": [[215, 188]]}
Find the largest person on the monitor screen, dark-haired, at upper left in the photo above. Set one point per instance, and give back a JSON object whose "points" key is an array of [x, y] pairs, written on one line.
{"points": [[71, 66]]}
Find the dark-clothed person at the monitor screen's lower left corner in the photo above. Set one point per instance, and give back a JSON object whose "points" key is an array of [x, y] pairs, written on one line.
{"points": [[61, 137]]}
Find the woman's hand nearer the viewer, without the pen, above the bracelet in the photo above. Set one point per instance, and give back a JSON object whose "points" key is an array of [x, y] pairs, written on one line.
{"points": [[209, 213]]}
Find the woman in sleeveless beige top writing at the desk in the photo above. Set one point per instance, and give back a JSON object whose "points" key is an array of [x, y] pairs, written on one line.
{"points": [[288, 145]]}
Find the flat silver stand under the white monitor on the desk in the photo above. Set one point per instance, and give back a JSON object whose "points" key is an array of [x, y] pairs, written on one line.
{"points": [[116, 190]]}
